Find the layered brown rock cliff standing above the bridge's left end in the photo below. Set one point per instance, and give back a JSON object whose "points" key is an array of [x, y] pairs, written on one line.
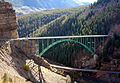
{"points": [[8, 24]]}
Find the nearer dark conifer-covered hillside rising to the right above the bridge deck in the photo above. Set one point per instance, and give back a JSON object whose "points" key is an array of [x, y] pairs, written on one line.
{"points": [[98, 19]]}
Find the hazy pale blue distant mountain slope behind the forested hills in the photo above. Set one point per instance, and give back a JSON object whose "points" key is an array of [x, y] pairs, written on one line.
{"points": [[29, 6]]}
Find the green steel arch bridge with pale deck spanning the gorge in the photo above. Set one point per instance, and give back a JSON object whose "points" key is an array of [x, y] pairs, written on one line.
{"points": [[89, 42]]}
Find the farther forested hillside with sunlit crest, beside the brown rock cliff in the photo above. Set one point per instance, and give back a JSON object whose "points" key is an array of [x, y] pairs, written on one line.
{"points": [[30, 22]]}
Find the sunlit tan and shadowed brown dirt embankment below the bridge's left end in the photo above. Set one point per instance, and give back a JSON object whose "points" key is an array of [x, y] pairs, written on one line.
{"points": [[14, 61]]}
